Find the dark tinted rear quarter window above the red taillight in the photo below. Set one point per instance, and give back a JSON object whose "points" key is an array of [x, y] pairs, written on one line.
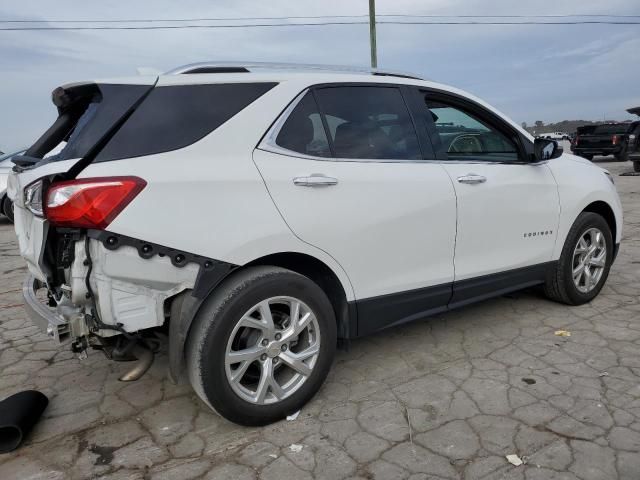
{"points": [[173, 117]]}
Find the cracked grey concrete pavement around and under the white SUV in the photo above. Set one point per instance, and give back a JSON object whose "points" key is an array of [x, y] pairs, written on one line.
{"points": [[445, 398]]}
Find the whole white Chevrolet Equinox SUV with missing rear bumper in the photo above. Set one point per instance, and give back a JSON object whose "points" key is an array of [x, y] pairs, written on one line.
{"points": [[260, 214]]}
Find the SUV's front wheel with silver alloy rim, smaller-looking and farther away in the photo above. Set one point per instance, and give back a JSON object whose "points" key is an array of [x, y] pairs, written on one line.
{"points": [[585, 261]]}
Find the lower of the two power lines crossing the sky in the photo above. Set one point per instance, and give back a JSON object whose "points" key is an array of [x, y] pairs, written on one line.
{"points": [[320, 24]]}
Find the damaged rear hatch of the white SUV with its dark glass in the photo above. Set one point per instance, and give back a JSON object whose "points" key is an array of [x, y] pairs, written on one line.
{"points": [[89, 114]]}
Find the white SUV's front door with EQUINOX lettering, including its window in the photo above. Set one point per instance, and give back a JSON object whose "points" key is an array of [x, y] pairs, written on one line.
{"points": [[508, 208]]}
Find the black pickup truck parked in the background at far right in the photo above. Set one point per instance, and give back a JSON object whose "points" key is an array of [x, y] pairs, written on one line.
{"points": [[603, 139]]}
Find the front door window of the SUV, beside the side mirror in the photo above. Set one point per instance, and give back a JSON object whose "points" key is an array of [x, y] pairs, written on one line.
{"points": [[463, 136]]}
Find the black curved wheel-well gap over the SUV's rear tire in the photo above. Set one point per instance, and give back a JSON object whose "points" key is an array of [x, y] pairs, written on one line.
{"points": [[321, 274]]}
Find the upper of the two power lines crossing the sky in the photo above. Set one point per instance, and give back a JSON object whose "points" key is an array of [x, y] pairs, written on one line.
{"points": [[388, 15]]}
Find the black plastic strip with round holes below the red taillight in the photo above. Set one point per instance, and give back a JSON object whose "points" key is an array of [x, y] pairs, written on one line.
{"points": [[211, 272]]}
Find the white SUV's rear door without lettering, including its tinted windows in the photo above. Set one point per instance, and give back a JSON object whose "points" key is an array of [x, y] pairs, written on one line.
{"points": [[344, 167]]}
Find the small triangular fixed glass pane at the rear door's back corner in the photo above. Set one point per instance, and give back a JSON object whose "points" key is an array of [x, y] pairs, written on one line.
{"points": [[303, 131]]}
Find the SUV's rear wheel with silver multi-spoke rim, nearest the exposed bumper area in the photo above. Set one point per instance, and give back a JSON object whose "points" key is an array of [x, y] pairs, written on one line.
{"points": [[261, 345]]}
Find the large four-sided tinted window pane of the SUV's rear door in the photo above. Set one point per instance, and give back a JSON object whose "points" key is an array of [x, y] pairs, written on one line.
{"points": [[368, 123]]}
